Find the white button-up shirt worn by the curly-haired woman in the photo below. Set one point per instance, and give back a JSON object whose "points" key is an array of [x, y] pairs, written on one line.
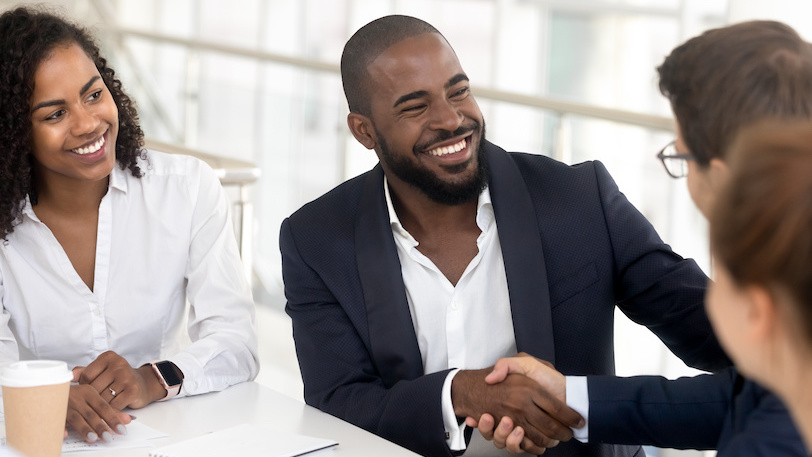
{"points": [[168, 282]]}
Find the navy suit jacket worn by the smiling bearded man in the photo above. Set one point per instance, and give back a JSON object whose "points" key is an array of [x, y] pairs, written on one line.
{"points": [[573, 248]]}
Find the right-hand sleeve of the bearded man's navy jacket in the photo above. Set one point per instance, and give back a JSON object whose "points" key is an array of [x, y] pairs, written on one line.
{"points": [[656, 287]]}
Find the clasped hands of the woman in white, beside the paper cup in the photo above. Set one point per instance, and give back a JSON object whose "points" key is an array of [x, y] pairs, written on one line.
{"points": [[105, 387]]}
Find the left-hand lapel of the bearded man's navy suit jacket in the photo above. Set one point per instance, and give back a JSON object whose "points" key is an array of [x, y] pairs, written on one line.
{"points": [[391, 332]]}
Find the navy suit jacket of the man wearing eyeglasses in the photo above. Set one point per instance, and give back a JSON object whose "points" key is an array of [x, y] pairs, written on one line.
{"points": [[723, 411]]}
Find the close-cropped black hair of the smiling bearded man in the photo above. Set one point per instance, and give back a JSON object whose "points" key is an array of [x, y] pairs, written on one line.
{"points": [[368, 43]]}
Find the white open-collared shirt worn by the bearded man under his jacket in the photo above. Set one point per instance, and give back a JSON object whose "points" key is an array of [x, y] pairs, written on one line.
{"points": [[467, 326]]}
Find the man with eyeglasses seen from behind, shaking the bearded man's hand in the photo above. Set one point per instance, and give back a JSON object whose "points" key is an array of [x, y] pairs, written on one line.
{"points": [[718, 83]]}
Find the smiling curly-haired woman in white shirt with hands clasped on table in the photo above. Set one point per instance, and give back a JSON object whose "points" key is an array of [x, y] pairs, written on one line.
{"points": [[103, 243]]}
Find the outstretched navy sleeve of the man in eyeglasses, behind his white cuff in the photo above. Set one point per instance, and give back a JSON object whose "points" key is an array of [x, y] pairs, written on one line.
{"points": [[685, 413]]}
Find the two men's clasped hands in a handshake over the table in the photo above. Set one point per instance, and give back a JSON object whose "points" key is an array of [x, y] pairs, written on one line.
{"points": [[526, 395]]}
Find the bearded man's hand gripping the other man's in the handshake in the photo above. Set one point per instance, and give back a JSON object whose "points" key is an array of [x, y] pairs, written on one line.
{"points": [[544, 419]]}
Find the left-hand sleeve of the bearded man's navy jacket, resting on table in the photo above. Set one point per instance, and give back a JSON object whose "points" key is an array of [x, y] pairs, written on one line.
{"points": [[340, 376]]}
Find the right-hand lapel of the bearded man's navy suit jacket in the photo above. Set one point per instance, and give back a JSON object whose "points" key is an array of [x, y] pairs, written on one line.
{"points": [[526, 272]]}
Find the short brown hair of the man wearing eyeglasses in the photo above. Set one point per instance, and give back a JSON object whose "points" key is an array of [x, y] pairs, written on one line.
{"points": [[729, 77]]}
